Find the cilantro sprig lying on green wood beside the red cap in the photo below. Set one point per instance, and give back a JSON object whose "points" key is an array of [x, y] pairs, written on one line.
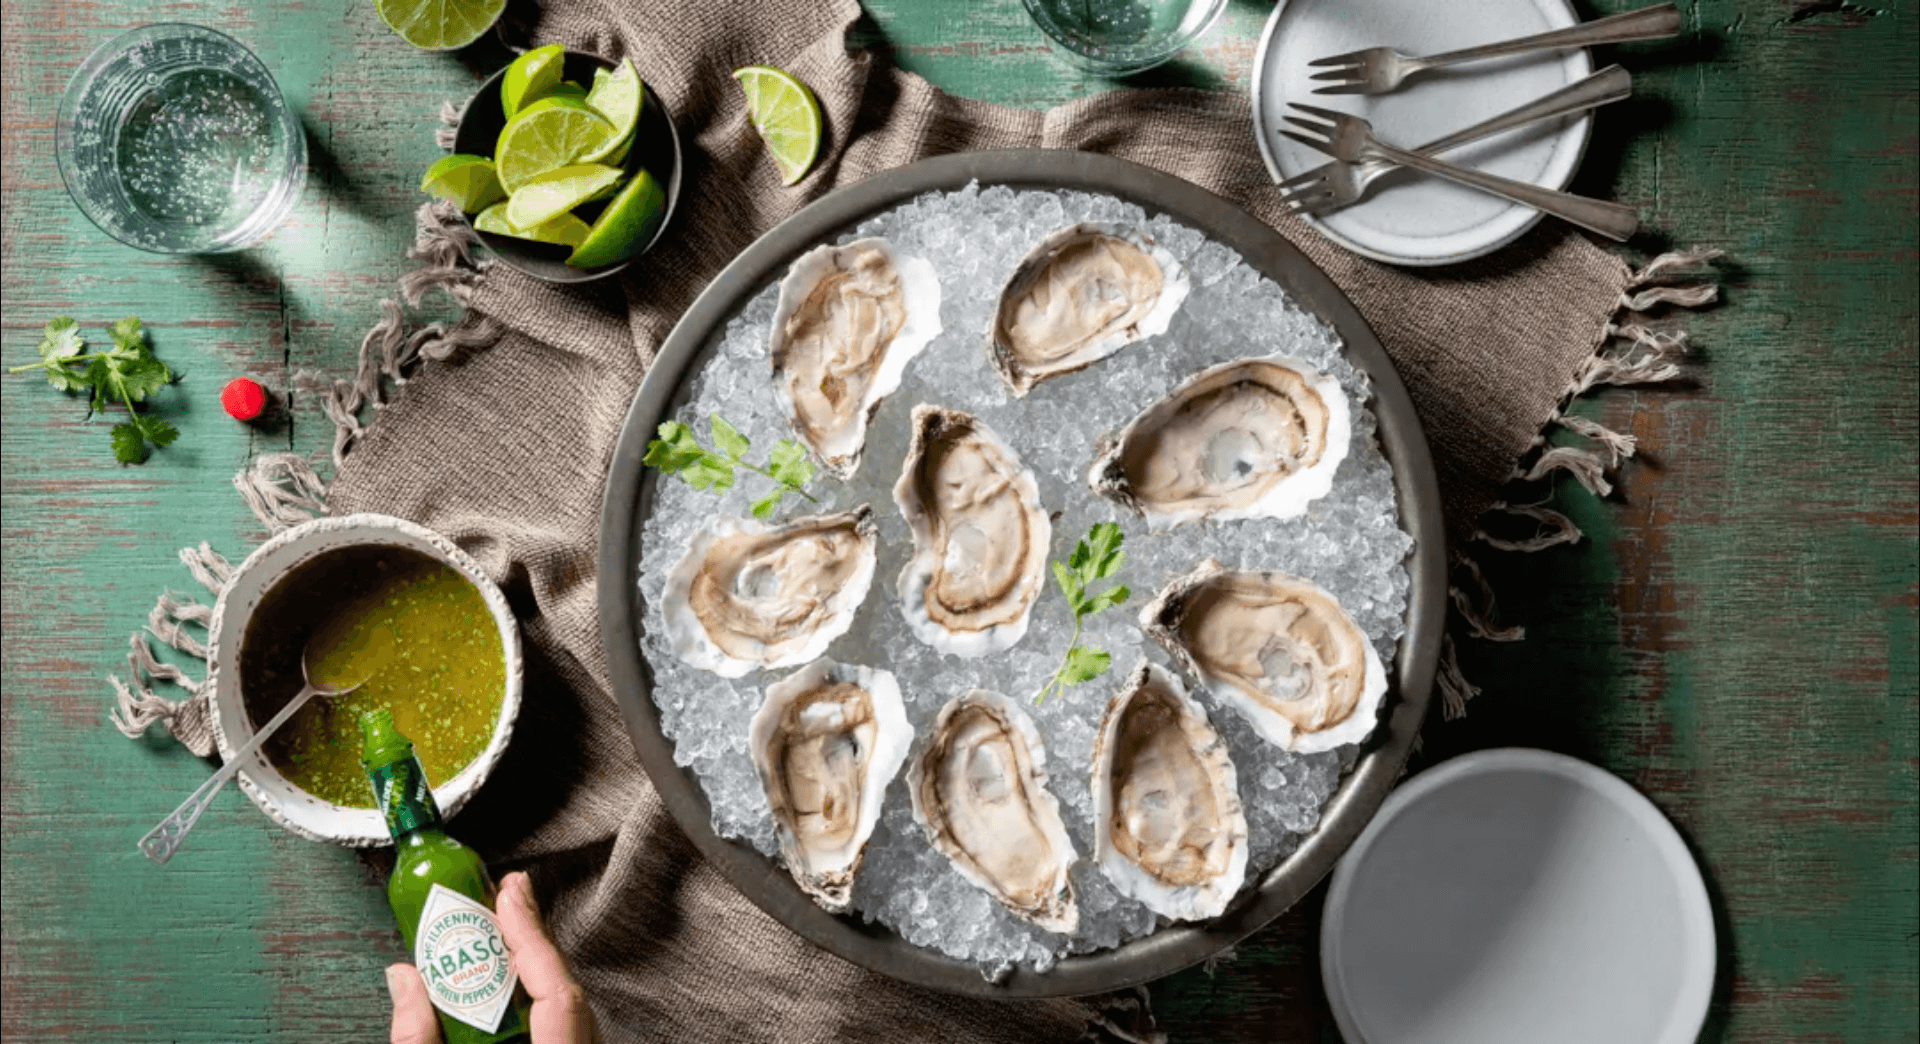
{"points": [[124, 375]]}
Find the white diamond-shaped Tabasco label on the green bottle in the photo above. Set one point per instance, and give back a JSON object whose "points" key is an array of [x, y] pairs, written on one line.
{"points": [[464, 961]]}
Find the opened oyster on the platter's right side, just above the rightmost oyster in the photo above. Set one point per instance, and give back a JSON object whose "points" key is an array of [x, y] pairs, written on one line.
{"points": [[1247, 439]]}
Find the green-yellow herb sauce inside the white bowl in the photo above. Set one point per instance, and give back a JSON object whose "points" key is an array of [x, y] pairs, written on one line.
{"points": [[421, 636]]}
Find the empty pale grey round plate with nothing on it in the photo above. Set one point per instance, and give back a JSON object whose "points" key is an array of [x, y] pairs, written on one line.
{"points": [[1518, 897]]}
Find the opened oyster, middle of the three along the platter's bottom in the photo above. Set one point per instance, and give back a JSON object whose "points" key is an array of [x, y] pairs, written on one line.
{"points": [[980, 794]]}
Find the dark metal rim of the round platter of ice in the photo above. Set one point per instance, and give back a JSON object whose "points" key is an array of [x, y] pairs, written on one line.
{"points": [[631, 494]]}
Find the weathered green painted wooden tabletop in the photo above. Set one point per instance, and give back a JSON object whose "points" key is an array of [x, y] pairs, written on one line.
{"points": [[1739, 638]]}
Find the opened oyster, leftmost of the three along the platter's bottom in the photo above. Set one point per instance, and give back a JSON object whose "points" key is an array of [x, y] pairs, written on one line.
{"points": [[827, 744]]}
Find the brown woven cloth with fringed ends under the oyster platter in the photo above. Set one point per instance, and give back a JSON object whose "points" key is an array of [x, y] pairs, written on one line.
{"points": [[502, 437]]}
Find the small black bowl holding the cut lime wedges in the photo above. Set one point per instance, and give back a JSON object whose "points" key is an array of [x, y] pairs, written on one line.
{"points": [[656, 149]]}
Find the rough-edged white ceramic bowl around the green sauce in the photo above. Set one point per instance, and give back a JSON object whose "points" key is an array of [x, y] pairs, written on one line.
{"points": [[281, 801]]}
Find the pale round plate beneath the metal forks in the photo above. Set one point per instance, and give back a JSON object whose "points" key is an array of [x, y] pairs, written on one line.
{"points": [[1418, 220]]}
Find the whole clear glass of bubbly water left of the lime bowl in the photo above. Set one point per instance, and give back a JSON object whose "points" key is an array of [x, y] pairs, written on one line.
{"points": [[176, 139]]}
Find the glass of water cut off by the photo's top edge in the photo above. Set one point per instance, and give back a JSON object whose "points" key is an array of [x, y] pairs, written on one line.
{"points": [[1120, 37]]}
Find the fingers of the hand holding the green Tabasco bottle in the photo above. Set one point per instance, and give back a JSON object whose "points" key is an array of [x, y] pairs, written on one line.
{"points": [[560, 1012]]}
